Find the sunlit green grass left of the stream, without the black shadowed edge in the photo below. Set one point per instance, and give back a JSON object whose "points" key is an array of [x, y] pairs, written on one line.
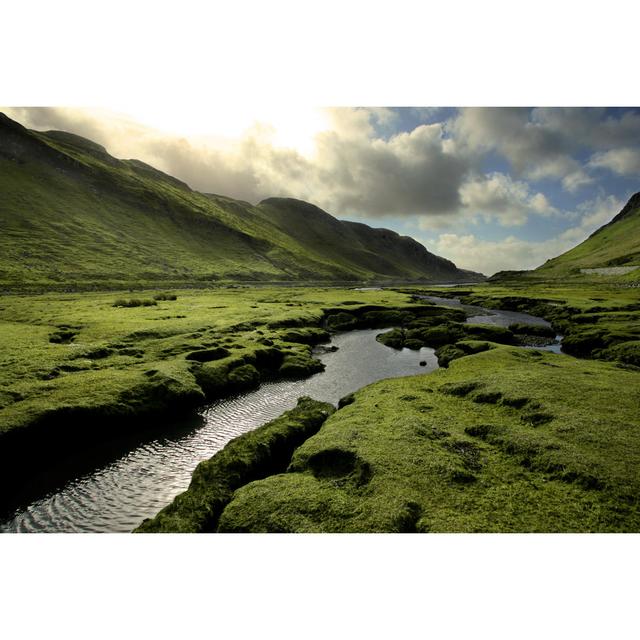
{"points": [[65, 351]]}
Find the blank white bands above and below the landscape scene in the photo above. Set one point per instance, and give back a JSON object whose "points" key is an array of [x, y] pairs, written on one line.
{"points": [[120, 55]]}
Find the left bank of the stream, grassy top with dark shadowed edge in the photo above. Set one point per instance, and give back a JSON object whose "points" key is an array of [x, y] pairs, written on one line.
{"points": [[79, 372]]}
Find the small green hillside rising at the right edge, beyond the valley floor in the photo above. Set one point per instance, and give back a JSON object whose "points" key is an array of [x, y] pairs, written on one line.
{"points": [[613, 252]]}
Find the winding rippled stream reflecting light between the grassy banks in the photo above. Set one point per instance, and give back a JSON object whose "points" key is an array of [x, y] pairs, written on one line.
{"points": [[115, 488]]}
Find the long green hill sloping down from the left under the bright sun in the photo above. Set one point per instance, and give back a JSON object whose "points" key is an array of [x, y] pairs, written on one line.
{"points": [[71, 215]]}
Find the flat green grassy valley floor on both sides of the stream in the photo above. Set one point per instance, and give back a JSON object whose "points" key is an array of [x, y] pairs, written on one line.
{"points": [[504, 439]]}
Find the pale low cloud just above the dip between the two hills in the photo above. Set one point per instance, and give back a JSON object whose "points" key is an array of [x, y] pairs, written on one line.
{"points": [[513, 253]]}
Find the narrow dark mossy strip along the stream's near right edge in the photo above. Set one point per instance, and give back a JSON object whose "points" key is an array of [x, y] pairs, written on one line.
{"points": [[256, 454]]}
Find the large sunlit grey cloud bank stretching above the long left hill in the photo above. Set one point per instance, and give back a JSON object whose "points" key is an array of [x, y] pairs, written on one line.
{"points": [[352, 172]]}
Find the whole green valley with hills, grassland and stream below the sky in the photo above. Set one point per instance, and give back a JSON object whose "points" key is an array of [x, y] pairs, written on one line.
{"points": [[180, 361]]}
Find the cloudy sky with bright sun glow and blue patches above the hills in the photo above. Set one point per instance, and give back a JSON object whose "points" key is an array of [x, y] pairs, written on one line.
{"points": [[489, 188]]}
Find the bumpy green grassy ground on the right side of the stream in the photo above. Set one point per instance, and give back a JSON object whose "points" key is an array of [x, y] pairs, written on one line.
{"points": [[505, 439]]}
